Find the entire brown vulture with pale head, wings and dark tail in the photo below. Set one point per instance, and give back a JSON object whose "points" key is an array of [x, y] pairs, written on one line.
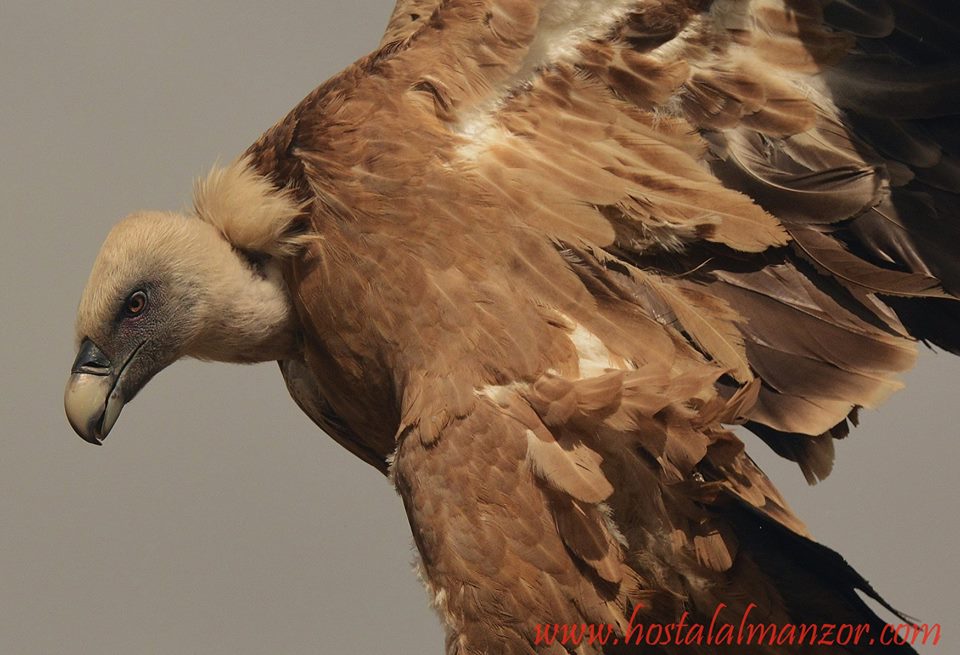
{"points": [[528, 258]]}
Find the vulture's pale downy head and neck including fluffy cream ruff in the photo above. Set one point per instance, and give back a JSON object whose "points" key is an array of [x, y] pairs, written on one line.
{"points": [[167, 285]]}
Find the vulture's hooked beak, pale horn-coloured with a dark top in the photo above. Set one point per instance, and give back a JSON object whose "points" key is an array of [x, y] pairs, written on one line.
{"points": [[93, 398]]}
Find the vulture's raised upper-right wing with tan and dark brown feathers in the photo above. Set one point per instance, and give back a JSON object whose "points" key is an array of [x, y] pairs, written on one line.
{"points": [[776, 179]]}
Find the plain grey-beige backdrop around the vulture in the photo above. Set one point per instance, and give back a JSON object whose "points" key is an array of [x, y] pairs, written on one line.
{"points": [[217, 518]]}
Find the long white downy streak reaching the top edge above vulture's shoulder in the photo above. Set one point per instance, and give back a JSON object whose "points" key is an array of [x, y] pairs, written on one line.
{"points": [[564, 24]]}
